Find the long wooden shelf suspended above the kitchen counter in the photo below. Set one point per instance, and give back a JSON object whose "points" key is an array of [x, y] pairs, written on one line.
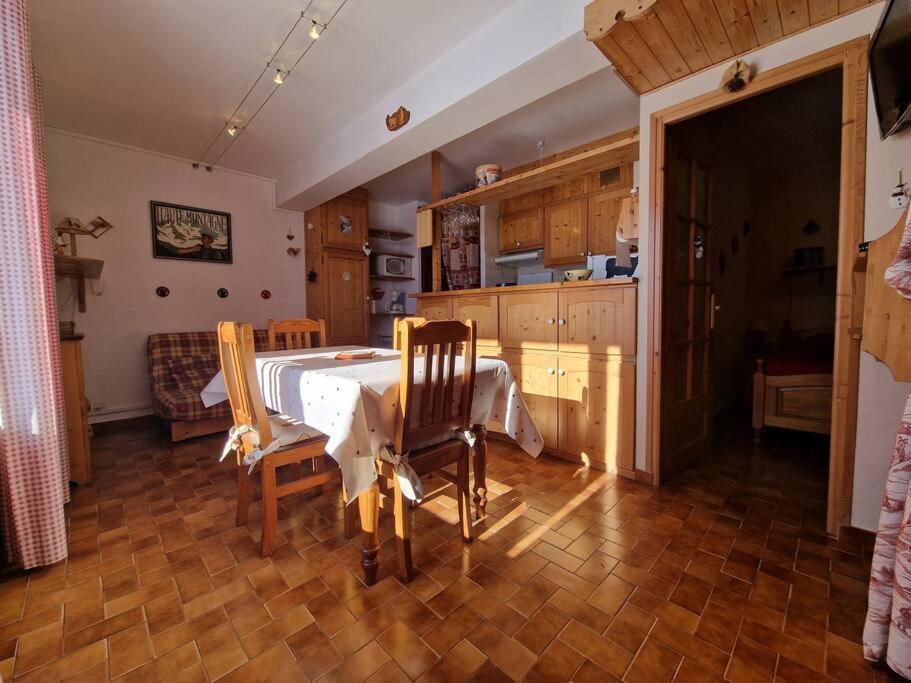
{"points": [[623, 150]]}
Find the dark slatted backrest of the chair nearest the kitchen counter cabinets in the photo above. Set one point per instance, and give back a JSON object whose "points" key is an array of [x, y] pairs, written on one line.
{"points": [[437, 413]]}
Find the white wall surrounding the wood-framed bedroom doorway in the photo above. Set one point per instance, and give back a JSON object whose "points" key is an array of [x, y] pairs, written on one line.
{"points": [[881, 398]]}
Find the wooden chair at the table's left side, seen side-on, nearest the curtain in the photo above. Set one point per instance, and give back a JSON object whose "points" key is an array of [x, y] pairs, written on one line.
{"points": [[300, 442]]}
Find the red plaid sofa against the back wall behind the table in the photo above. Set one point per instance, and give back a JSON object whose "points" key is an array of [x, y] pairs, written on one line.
{"points": [[176, 399]]}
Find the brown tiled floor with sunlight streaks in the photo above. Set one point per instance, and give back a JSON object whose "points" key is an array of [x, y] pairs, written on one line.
{"points": [[574, 575]]}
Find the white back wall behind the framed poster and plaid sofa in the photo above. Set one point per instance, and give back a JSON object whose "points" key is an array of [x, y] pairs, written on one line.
{"points": [[88, 178]]}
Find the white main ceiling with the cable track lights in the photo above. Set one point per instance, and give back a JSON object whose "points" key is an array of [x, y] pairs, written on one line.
{"points": [[165, 75]]}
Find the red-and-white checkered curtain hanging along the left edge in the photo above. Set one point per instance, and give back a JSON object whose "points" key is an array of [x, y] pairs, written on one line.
{"points": [[34, 468]]}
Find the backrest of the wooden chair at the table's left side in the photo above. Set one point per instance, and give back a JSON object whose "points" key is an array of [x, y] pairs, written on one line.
{"points": [[238, 365]]}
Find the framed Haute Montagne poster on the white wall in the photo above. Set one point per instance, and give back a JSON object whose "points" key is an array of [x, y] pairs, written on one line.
{"points": [[190, 234]]}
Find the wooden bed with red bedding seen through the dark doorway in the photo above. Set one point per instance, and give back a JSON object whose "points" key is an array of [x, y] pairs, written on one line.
{"points": [[792, 387]]}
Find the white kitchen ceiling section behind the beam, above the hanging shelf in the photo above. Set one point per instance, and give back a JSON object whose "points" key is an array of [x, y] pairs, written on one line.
{"points": [[590, 108]]}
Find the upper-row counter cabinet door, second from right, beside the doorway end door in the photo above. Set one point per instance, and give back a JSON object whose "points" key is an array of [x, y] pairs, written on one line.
{"points": [[528, 320]]}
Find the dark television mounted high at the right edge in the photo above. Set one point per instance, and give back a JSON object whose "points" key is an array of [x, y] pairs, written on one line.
{"points": [[890, 67]]}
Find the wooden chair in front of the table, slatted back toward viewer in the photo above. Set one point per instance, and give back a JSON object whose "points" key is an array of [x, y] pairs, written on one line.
{"points": [[435, 416]]}
